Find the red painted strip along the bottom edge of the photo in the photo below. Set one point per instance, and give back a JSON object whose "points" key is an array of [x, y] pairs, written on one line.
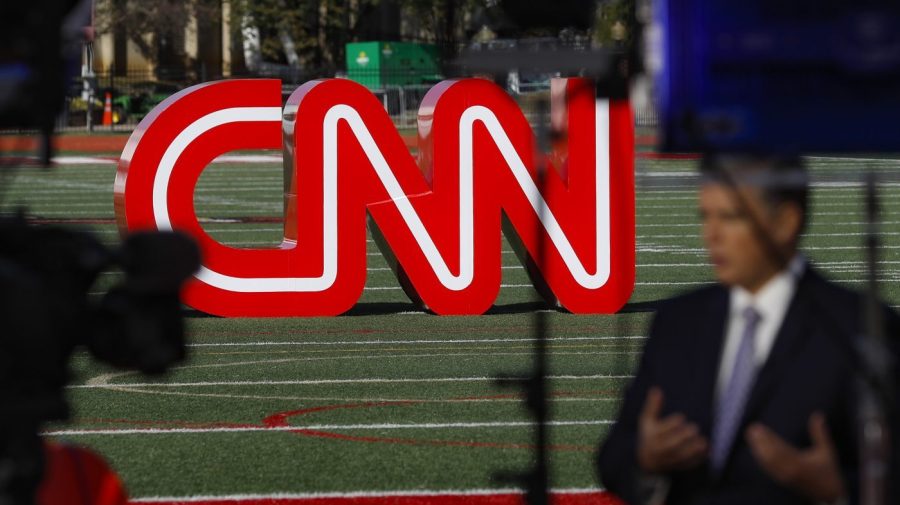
{"points": [[557, 498]]}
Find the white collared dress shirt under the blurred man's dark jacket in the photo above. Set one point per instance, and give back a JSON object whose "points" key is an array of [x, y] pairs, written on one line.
{"points": [[771, 302]]}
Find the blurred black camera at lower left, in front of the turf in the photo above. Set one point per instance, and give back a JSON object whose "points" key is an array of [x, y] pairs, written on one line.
{"points": [[45, 277]]}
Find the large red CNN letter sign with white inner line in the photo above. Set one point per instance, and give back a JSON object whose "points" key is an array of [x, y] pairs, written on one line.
{"points": [[438, 215]]}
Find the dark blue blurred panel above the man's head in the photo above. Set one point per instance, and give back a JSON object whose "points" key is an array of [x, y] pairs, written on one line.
{"points": [[779, 75]]}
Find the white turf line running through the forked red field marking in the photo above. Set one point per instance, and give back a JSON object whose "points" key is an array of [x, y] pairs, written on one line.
{"points": [[321, 427]]}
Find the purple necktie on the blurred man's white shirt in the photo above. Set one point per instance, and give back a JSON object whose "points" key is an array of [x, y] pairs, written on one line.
{"points": [[730, 407]]}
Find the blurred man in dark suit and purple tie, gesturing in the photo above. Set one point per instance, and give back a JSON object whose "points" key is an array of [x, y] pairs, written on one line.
{"points": [[745, 391]]}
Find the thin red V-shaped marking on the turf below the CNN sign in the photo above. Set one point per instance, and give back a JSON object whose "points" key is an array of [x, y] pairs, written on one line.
{"points": [[281, 420]]}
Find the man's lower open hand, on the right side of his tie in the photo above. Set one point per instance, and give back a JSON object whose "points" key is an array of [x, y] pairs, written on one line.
{"points": [[812, 472]]}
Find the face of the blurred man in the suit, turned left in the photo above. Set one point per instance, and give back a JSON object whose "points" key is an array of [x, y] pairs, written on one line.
{"points": [[738, 254]]}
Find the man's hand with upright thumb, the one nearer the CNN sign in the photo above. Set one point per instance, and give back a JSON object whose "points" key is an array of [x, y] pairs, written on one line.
{"points": [[669, 443]]}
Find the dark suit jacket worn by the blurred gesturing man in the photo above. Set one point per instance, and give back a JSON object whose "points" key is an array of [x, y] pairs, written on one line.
{"points": [[810, 368]]}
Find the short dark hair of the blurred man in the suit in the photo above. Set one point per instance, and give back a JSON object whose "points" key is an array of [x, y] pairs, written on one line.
{"points": [[779, 179]]}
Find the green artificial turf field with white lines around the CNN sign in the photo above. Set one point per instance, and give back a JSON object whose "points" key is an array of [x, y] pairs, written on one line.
{"points": [[386, 397]]}
